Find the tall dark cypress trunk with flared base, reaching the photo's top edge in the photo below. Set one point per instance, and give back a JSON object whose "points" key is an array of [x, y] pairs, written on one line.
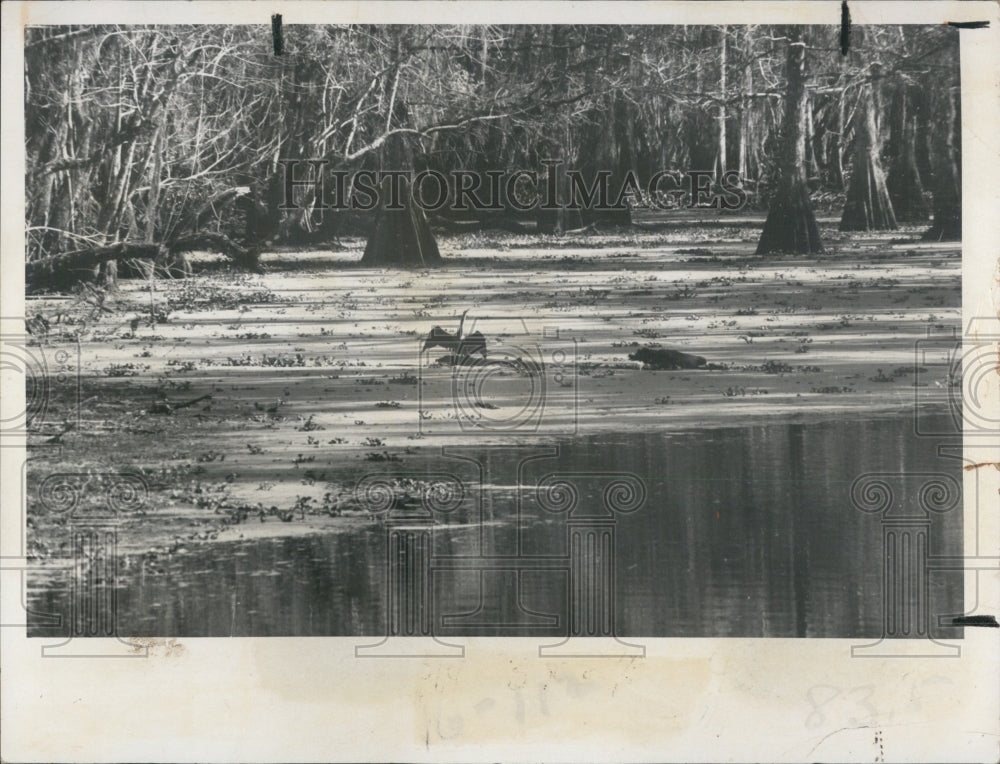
{"points": [[791, 224]]}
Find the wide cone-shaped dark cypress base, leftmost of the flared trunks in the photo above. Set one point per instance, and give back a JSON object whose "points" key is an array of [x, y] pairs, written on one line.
{"points": [[401, 237]]}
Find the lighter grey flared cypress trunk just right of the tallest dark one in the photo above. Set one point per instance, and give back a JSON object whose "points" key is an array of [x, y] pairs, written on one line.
{"points": [[868, 206]]}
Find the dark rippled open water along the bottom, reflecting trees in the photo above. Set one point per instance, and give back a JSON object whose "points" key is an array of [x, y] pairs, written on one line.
{"points": [[744, 532]]}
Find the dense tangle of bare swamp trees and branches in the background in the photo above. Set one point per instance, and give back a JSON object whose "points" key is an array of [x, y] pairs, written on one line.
{"points": [[149, 141]]}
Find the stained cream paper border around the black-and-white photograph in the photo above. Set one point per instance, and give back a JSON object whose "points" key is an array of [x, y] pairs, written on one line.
{"points": [[310, 699]]}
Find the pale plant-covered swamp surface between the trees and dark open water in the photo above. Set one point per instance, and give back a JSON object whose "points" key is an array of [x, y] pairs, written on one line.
{"points": [[274, 390]]}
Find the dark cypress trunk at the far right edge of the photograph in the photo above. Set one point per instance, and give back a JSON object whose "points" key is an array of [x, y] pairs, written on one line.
{"points": [[947, 185]]}
